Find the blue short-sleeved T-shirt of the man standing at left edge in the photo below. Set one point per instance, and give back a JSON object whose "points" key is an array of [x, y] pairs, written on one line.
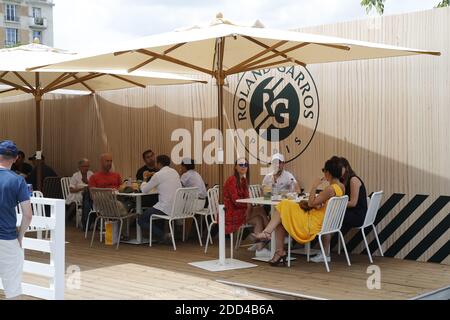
{"points": [[13, 190]]}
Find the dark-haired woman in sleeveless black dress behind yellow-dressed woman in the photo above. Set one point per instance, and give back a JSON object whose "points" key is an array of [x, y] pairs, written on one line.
{"points": [[357, 195]]}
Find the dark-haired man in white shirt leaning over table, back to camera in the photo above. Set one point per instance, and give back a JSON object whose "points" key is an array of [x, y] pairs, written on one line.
{"points": [[166, 181]]}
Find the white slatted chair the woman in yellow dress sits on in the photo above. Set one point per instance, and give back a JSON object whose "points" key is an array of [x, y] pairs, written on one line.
{"points": [[332, 223]]}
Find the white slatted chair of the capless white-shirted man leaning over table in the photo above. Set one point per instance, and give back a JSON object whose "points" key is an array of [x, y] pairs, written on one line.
{"points": [[182, 208]]}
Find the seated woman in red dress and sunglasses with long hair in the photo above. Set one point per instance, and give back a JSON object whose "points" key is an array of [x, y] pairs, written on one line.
{"points": [[237, 214]]}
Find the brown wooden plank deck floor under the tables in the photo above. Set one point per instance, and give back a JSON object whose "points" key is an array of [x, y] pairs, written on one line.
{"points": [[140, 272]]}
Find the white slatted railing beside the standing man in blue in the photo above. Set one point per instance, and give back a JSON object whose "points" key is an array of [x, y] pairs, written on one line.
{"points": [[55, 246]]}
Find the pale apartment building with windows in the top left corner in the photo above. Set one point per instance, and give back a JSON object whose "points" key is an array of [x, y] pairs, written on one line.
{"points": [[21, 21]]}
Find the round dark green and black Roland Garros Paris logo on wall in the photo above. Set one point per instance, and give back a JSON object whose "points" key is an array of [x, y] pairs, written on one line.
{"points": [[281, 105]]}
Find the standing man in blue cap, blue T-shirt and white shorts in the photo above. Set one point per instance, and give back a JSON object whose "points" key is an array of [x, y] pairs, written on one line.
{"points": [[13, 191]]}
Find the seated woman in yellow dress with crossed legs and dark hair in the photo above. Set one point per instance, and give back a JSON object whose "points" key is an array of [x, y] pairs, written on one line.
{"points": [[303, 222]]}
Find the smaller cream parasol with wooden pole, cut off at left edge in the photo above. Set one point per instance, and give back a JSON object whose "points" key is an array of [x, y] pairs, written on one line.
{"points": [[17, 77]]}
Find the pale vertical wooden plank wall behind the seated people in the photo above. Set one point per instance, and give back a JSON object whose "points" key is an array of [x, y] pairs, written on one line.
{"points": [[389, 117]]}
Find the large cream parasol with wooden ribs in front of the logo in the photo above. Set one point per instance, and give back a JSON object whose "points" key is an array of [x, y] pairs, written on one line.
{"points": [[222, 48]]}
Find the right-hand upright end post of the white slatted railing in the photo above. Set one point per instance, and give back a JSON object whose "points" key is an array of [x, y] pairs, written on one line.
{"points": [[58, 243]]}
